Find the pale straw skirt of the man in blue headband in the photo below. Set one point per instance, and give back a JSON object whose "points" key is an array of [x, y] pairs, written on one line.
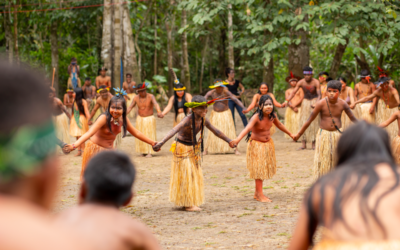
{"points": [[305, 112]]}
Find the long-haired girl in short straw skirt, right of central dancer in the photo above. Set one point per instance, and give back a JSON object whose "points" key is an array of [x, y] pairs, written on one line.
{"points": [[260, 157]]}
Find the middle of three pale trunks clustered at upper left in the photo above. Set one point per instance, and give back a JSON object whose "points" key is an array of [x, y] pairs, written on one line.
{"points": [[117, 45]]}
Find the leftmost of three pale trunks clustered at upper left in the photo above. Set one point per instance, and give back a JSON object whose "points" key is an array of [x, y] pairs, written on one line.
{"points": [[106, 46]]}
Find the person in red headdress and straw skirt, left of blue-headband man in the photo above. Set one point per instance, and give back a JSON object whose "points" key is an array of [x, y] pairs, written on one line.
{"points": [[292, 115]]}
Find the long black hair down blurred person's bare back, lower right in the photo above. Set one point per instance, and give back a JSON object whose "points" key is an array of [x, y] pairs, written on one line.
{"points": [[360, 148]]}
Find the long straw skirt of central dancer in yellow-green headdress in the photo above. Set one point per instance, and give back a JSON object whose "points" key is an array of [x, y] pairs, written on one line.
{"points": [[186, 186]]}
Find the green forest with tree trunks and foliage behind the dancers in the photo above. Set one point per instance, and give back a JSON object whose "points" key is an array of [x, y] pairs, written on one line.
{"points": [[262, 40]]}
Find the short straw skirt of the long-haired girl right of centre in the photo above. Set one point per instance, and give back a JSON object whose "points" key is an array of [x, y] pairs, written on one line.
{"points": [[261, 160]]}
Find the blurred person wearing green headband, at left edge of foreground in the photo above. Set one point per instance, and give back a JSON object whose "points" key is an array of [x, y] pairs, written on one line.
{"points": [[28, 165]]}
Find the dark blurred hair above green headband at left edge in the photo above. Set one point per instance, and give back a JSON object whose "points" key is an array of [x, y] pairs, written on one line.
{"points": [[29, 99]]}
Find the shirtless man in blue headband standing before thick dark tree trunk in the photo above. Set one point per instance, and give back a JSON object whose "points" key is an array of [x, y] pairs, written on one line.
{"points": [[312, 94]]}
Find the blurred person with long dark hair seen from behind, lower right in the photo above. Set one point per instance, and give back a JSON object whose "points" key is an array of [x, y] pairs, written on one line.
{"points": [[357, 204]]}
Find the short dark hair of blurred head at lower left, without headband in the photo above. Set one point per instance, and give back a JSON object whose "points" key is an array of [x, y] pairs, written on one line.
{"points": [[109, 177]]}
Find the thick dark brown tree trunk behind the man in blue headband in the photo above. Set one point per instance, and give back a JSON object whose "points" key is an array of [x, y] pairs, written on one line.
{"points": [[299, 55]]}
